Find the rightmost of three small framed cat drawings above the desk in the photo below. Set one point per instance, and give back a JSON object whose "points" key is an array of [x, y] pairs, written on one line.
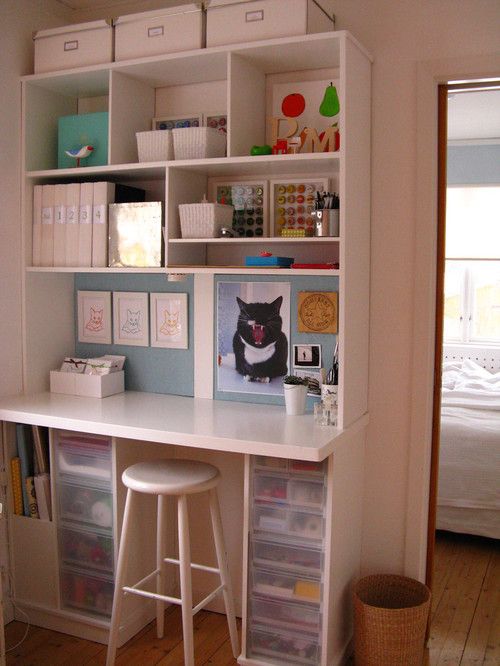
{"points": [[169, 320]]}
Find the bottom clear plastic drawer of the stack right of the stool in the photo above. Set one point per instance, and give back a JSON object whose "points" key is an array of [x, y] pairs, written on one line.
{"points": [[278, 644]]}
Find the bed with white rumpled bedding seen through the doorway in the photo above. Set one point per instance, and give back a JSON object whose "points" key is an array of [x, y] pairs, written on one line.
{"points": [[469, 453]]}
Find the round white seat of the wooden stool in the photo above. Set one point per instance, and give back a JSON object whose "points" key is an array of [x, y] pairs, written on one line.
{"points": [[171, 477]]}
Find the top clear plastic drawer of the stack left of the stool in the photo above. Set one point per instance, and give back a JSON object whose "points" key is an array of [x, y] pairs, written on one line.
{"points": [[79, 454]]}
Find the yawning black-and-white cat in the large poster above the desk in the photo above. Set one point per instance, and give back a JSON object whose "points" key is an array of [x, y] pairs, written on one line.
{"points": [[260, 346]]}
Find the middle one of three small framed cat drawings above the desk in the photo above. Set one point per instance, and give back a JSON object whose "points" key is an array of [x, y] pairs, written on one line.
{"points": [[131, 321]]}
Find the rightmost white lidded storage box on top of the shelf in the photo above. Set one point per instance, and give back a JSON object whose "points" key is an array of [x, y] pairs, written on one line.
{"points": [[233, 21]]}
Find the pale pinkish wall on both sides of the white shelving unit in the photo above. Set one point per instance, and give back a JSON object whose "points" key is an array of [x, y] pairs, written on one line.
{"points": [[400, 34]]}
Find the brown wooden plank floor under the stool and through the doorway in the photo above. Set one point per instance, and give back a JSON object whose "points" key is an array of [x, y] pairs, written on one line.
{"points": [[465, 625]]}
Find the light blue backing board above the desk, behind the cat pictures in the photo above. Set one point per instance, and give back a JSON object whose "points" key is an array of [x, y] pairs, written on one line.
{"points": [[172, 370]]}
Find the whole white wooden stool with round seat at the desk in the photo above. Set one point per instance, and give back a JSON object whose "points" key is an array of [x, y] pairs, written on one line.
{"points": [[178, 478]]}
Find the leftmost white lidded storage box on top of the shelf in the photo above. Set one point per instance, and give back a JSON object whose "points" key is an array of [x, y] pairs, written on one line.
{"points": [[73, 46]]}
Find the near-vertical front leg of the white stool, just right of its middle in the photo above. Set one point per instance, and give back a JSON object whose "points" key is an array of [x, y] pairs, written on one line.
{"points": [[185, 577]]}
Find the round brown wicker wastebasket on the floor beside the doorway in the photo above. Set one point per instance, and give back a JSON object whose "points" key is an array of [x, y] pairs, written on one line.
{"points": [[390, 620]]}
